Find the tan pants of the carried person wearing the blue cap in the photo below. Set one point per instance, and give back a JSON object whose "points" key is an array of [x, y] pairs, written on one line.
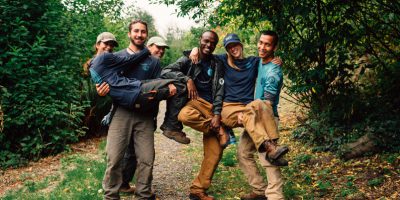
{"points": [[258, 120]]}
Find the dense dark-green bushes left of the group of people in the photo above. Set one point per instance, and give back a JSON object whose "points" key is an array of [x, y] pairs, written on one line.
{"points": [[44, 46]]}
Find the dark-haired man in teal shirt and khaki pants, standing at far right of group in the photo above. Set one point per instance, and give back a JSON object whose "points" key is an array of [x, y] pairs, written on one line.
{"points": [[268, 87]]}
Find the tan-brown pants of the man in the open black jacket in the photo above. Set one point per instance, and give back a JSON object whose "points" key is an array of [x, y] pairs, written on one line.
{"points": [[197, 115]]}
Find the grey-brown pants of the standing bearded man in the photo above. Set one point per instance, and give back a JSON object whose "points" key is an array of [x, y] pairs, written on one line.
{"points": [[125, 125]]}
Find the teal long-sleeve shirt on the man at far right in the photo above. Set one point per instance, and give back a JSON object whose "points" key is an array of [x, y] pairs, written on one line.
{"points": [[269, 84]]}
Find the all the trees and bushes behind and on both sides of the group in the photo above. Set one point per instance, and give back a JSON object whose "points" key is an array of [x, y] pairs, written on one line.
{"points": [[341, 63]]}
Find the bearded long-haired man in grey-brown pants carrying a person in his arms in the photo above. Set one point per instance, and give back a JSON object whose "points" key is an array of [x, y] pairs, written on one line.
{"points": [[130, 129]]}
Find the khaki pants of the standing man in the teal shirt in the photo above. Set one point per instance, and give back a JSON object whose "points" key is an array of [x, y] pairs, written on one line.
{"points": [[246, 150]]}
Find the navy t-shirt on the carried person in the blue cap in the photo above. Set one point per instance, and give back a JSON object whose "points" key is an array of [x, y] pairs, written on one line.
{"points": [[239, 85]]}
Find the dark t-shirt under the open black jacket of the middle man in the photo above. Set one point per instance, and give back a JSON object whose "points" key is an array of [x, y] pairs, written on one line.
{"points": [[203, 81]]}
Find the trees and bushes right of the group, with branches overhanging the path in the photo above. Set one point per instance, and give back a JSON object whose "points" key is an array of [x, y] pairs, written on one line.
{"points": [[341, 58]]}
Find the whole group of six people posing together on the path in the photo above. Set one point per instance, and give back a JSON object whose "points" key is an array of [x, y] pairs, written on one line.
{"points": [[209, 93]]}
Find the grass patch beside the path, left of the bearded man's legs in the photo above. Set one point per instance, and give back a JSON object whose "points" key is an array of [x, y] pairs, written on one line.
{"points": [[81, 179]]}
